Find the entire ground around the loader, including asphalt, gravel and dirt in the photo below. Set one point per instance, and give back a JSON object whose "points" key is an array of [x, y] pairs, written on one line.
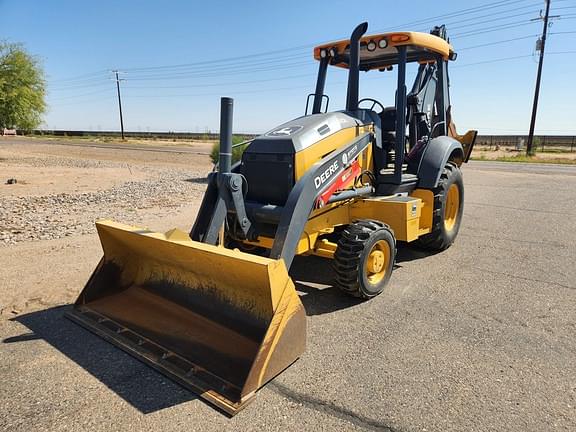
{"points": [[477, 338]]}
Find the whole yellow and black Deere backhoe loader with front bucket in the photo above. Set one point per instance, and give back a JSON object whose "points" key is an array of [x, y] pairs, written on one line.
{"points": [[215, 308]]}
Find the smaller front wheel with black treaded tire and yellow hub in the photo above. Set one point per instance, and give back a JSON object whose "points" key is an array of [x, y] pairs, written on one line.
{"points": [[364, 258]]}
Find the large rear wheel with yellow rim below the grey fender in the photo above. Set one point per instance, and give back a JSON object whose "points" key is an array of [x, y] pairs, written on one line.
{"points": [[448, 208]]}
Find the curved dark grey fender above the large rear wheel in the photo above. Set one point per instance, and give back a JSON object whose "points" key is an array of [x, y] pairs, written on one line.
{"points": [[436, 155]]}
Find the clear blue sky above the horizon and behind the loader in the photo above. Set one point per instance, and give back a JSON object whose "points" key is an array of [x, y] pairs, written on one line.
{"points": [[179, 57]]}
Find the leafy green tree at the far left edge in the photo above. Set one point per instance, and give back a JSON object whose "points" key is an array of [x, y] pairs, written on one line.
{"points": [[22, 88]]}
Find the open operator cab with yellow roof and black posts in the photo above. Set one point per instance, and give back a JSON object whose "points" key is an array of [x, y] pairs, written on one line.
{"points": [[424, 111]]}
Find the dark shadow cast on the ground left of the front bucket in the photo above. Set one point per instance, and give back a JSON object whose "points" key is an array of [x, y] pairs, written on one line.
{"points": [[139, 385]]}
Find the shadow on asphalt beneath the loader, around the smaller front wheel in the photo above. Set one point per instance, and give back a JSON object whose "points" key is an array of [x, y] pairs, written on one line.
{"points": [[314, 280]]}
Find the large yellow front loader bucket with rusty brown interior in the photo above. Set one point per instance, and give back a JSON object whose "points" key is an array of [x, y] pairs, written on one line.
{"points": [[218, 321]]}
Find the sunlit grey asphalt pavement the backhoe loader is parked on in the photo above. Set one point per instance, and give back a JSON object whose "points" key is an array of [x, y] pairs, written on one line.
{"points": [[480, 337]]}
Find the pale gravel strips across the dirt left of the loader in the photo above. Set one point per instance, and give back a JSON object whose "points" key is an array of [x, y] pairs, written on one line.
{"points": [[51, 216]]}
